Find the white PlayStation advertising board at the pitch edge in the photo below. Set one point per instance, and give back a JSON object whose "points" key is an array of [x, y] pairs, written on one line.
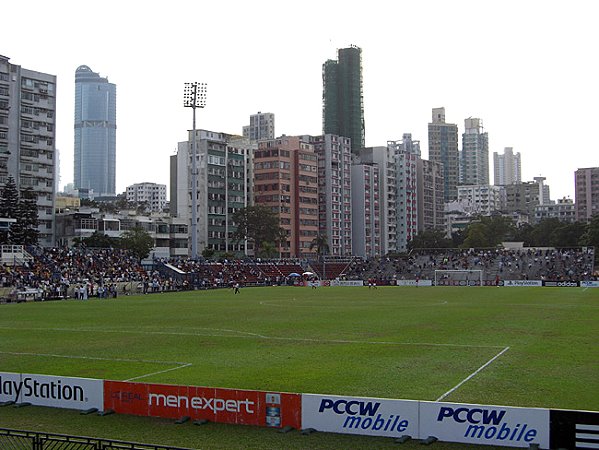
{"points": [[56, 392]]}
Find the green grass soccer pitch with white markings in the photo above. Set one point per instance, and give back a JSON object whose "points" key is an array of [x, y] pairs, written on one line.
{"points": [[502, 346]]}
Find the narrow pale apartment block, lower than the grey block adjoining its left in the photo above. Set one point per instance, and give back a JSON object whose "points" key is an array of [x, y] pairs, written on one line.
{"points": [[366, 231]]}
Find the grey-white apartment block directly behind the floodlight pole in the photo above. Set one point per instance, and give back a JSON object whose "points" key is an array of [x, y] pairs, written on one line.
{"points": [[223, 166]]}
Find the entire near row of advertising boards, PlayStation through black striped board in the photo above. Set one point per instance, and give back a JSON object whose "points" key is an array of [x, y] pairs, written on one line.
{"points": [[449, 422]]}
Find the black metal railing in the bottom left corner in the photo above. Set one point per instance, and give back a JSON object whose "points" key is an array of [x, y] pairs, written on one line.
{"points": [[30, 440]]}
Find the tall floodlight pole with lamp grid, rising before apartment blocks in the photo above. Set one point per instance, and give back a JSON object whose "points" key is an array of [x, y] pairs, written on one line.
{"points": [[194, 96]]}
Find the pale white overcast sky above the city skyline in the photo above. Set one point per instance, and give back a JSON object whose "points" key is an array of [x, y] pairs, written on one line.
{"points": [[528, 69]]}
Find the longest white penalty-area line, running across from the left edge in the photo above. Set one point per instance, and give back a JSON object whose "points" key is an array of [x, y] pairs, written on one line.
{"points": [[258, 336]]}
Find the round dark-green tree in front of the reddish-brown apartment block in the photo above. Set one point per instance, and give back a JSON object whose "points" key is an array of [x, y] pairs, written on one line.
{"points": [[259, 224]]}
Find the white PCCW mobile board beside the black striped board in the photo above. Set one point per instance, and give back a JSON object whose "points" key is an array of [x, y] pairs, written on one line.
{"points": [[485, 425]]}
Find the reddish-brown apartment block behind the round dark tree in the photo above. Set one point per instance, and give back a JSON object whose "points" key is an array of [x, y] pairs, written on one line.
{"points": [[286, 180]]}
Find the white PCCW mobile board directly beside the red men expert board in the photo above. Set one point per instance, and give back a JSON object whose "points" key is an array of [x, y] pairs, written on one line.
{"points": [[360, 415]]}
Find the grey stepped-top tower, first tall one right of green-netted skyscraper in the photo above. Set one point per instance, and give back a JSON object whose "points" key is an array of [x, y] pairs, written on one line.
{"points": [[443, 149]]}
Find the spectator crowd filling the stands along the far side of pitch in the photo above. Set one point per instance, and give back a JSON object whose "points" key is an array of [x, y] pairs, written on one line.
{"points": [[106, 273]]}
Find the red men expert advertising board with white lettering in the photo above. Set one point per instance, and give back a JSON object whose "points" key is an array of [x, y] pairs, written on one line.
{"points": [[267, 409]]}
